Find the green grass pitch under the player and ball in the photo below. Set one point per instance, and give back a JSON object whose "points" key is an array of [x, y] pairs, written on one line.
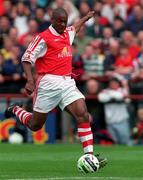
{"points": [[58, 162]]}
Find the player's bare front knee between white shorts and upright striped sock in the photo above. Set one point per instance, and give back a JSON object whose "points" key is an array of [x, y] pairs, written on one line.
{"points": [[77, 108]]}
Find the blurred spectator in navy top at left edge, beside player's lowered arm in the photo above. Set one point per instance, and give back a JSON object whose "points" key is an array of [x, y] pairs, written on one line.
{"points": [[11, 68]]}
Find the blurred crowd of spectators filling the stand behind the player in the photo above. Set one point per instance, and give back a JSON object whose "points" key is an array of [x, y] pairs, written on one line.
{"points": [[107, 57]]}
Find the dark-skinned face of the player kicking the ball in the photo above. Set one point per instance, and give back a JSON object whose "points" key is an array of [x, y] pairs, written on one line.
{"points": [[60, 23]]}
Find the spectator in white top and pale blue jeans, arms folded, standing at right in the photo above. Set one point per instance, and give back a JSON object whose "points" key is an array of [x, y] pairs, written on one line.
{"points": [[116, 113]]}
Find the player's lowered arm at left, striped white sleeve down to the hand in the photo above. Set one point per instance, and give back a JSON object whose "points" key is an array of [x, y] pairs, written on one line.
{"points": [[37, 48]]}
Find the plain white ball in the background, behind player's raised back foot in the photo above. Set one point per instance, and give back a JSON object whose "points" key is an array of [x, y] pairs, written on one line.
{"points": [[15, 138]]}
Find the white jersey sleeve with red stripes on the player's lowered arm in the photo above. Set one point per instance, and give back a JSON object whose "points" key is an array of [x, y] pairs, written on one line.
{"points": [[36, 49]]}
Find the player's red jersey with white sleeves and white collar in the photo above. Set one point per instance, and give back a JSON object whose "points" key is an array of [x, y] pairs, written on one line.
{"points": [[51, 52]]}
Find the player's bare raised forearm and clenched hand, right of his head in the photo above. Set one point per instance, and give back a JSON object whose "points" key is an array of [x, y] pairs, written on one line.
{"points": [[81, 22]]}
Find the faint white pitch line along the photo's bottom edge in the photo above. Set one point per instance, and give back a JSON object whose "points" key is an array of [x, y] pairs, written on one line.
{"points": [[79, 178]]}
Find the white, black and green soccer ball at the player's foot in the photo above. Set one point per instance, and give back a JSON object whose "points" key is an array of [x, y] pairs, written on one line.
{"points": [[88, 163]]}
